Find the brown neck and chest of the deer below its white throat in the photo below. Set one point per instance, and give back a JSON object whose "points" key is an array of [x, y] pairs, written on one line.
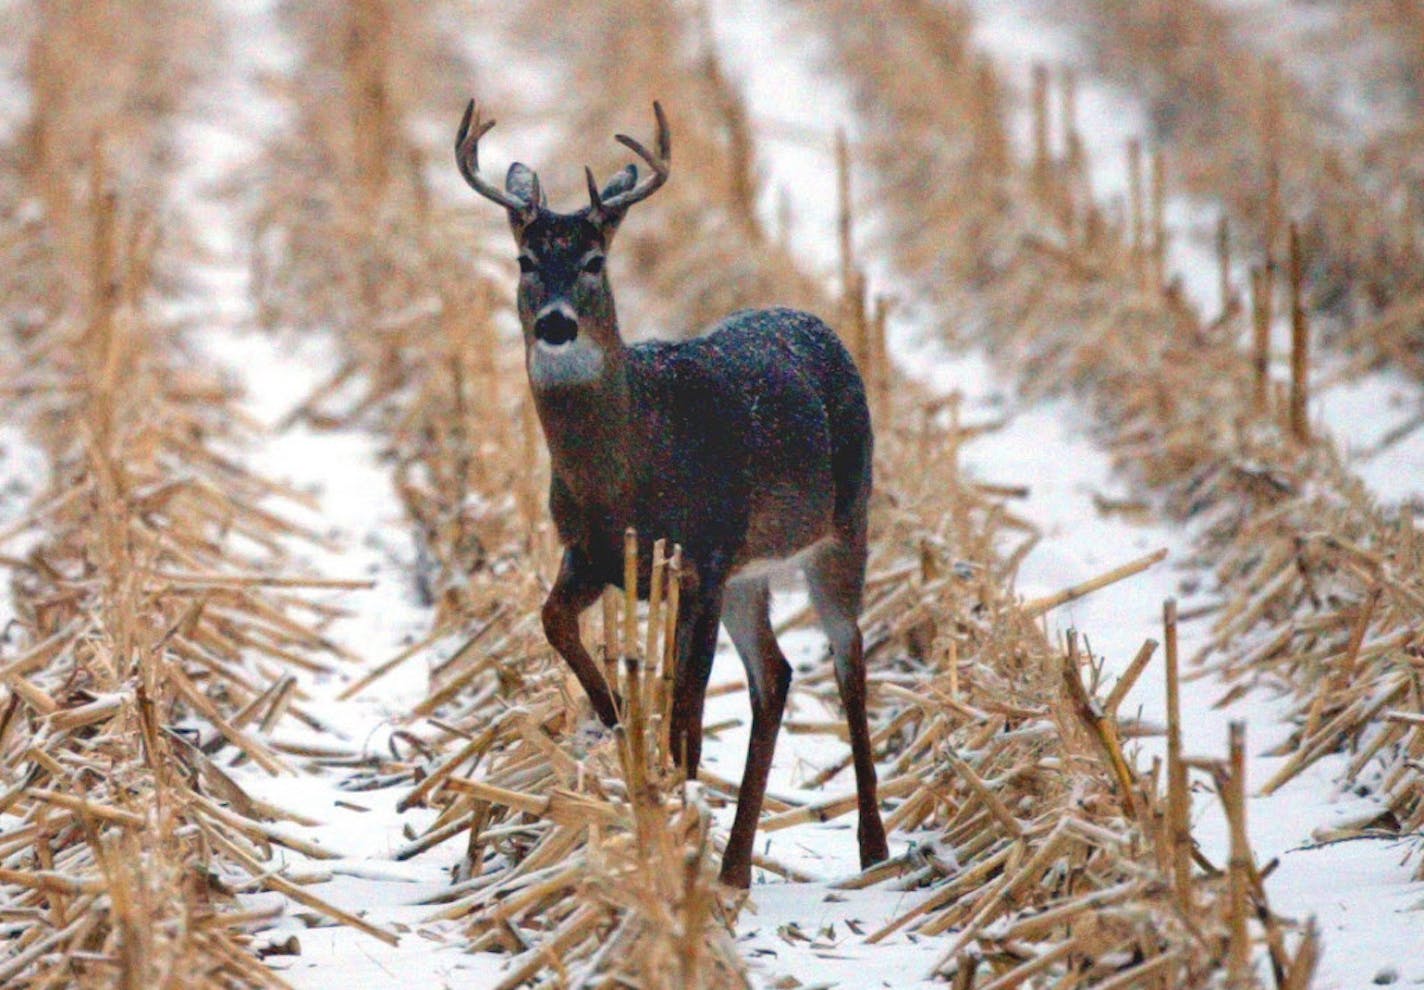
{"points": [[589, 431]]}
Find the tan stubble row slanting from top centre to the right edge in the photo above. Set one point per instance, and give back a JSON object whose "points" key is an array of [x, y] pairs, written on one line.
{"points": [[1067, 306]]}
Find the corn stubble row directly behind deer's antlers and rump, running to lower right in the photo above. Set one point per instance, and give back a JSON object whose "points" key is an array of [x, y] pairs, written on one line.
{"points": [[918, 515]]}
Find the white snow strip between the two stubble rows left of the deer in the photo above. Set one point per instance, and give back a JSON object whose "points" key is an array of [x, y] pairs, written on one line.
{"points": [[357, 509]]}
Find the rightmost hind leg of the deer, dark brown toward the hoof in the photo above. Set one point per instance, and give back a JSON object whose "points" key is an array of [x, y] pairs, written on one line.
{"points": [[835, 578]]}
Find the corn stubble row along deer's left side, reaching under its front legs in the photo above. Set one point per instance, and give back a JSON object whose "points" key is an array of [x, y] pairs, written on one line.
{"points": [[585, 864]]}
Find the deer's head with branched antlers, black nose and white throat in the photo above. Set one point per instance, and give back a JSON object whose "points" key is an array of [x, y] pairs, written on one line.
{"points": [[565, 298]]}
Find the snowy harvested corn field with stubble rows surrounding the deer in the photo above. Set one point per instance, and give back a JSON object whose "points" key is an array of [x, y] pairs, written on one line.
{"points": [[1140, 320]]}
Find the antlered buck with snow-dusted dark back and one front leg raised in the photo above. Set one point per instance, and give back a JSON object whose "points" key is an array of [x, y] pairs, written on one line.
{"points": [[751, 447]]}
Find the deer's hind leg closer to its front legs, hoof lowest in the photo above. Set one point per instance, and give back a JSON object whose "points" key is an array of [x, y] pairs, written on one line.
{"points": [[747, 618]]}
